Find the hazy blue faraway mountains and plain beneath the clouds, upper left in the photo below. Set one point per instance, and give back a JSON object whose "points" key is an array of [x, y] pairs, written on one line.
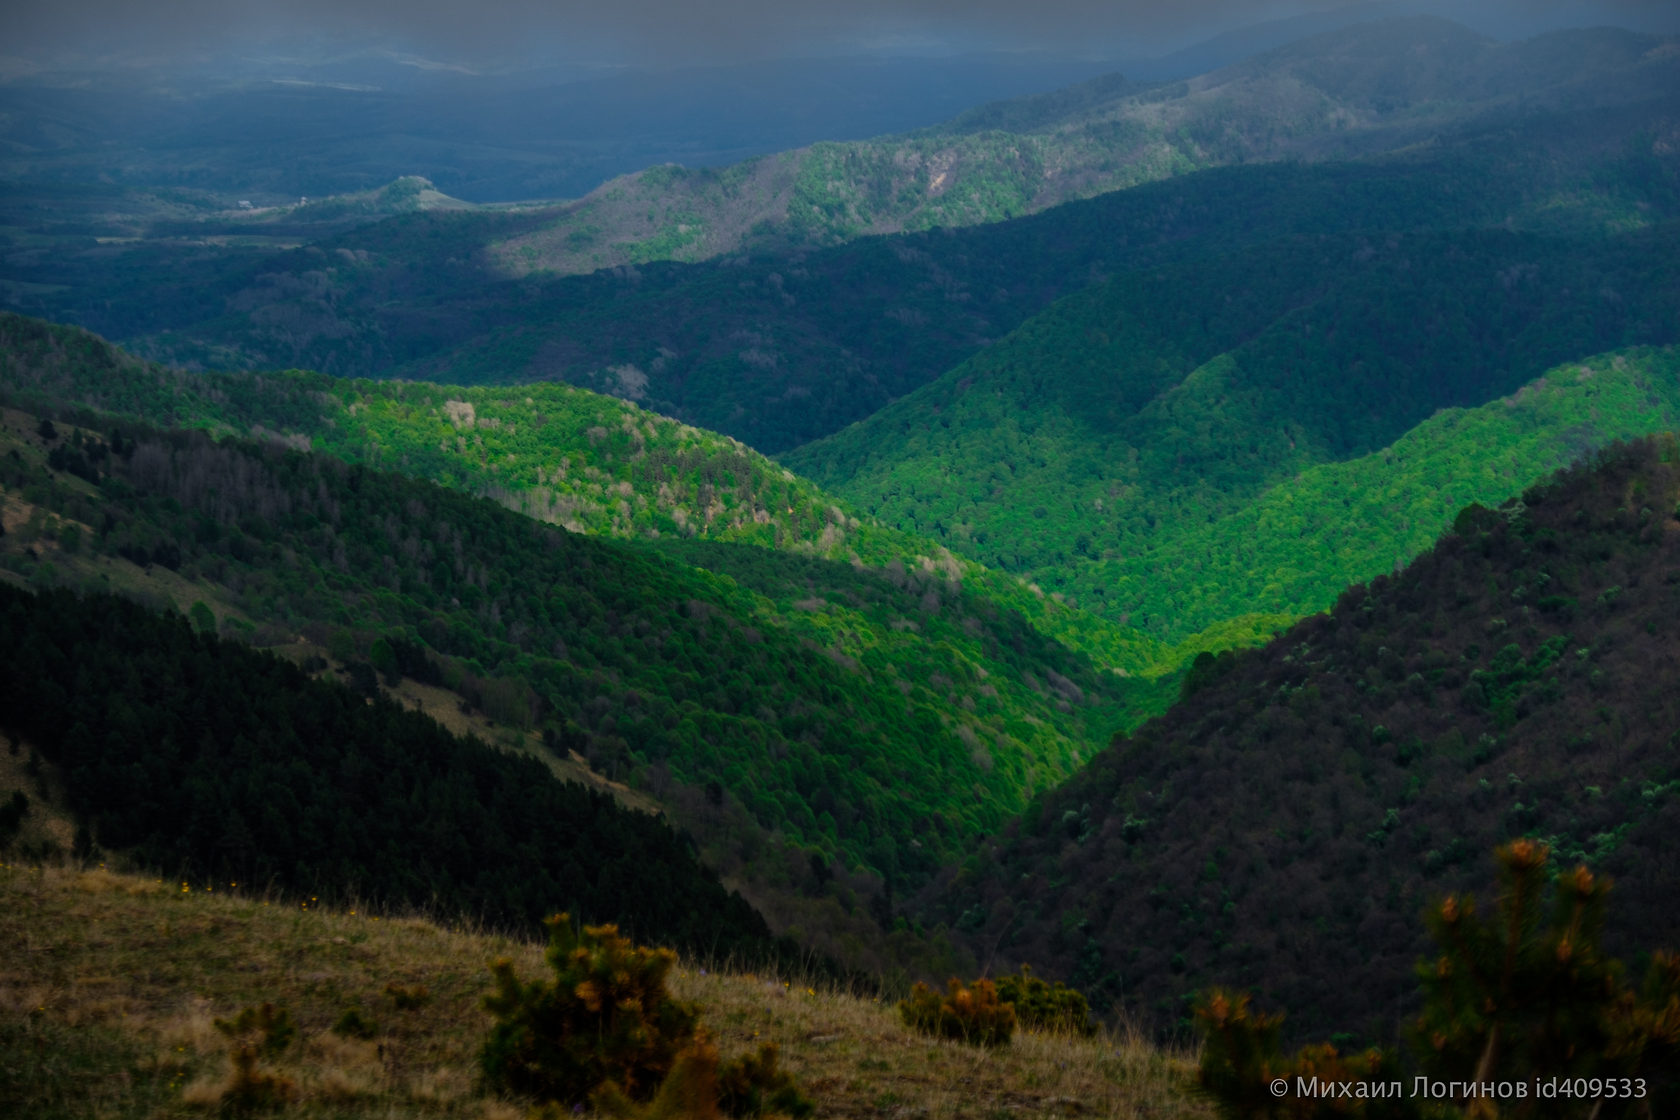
{"points": [[280, 128]]}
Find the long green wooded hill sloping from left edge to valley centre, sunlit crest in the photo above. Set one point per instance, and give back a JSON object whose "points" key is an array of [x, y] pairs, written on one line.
{"points": [[789, 711]]}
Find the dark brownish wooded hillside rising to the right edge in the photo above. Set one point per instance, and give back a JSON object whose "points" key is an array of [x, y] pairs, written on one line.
{"points": [[1284, 825]]}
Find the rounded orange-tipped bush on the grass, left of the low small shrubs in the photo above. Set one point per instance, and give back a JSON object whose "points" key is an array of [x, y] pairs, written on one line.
{"points": [[604, 1018]]}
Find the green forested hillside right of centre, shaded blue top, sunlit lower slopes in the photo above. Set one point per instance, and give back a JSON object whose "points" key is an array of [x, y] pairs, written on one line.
{"points": [[1103, 444]]}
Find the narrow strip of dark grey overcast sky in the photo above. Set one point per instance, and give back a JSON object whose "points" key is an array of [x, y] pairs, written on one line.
{"points": [[700, 31]]}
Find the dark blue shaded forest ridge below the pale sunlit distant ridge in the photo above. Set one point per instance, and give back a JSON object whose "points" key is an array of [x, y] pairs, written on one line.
{"points": [[785, 347]]}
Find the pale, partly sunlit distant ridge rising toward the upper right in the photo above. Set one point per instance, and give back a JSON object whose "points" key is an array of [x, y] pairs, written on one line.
{"points": [[1362, 90]]}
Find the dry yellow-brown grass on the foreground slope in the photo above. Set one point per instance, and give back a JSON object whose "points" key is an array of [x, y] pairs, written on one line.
{"points": [[110, 993]]}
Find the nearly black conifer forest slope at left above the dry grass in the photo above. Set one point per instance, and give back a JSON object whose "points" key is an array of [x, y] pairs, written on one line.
{"points": [[206, 760]]}
